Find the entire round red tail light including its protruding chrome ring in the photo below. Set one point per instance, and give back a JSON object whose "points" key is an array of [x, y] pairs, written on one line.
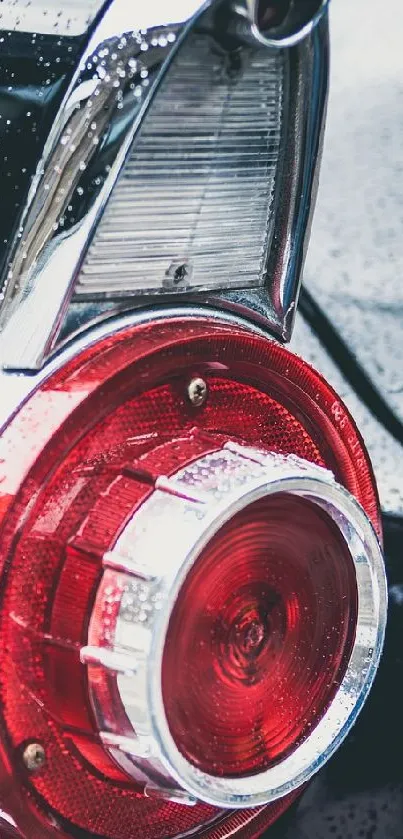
{"points": [[192, 595]]}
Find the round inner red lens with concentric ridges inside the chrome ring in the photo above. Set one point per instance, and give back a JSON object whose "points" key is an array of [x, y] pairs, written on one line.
{"points": [[263, 629]]}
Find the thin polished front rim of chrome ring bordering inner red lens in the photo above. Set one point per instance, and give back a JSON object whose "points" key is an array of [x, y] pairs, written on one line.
{"points": [[314, 752]]}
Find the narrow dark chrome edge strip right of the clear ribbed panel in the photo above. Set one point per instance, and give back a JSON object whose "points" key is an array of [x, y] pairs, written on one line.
{"points": [[309, 77]]}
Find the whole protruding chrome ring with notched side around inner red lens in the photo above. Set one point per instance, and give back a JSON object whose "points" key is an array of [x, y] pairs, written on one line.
{"points": [[226, 482]]}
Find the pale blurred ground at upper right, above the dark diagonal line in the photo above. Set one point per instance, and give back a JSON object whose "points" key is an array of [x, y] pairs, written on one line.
{"points": [[355, 261]]}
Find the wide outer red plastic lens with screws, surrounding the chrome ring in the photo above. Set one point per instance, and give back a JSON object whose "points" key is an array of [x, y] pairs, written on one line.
{"points": [[80, 457]]}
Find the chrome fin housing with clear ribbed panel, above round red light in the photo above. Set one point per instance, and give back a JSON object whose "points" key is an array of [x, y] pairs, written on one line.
{"points": [[182, 162]]}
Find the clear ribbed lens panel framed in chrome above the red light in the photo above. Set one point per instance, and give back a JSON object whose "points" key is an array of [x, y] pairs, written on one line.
{"points": [[193, 208]]}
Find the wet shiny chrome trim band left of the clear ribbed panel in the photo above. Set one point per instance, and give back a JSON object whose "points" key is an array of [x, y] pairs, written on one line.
{"points": [[36, 298]]}
